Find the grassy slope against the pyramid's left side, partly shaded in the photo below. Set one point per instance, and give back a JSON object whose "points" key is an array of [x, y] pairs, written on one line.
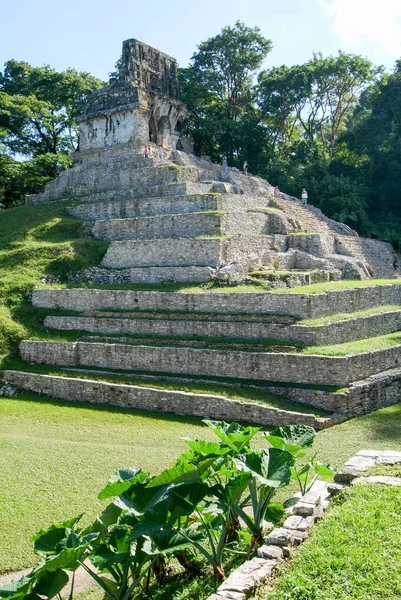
{"points": [[35, 241]]}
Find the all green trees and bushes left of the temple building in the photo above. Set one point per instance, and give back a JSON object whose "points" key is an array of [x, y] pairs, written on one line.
{"points": [[38, 110]]}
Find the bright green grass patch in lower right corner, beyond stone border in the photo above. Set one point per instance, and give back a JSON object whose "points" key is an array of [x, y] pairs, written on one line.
{"points": [[353, 554]]}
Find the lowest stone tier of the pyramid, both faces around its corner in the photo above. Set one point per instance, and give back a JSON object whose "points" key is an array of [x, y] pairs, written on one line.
{"points": [[378, 391]]}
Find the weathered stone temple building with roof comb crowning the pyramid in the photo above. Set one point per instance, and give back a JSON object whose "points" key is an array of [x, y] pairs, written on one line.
{"points": [[140, 107]]}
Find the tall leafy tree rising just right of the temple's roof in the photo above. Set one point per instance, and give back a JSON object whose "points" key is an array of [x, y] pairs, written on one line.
{"points": [[218, 89]]}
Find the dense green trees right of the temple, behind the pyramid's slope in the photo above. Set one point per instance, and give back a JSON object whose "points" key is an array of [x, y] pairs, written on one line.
{"points": [[331, 125]]}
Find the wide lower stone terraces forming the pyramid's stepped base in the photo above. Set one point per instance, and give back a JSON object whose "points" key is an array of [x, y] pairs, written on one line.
{"points": [[153, 335]]}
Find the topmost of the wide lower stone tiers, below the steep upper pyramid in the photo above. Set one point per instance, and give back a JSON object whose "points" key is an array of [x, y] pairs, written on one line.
{"points": [[304, 306]]}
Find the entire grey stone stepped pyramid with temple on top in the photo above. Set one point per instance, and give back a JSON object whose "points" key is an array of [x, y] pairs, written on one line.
{"points": [[173, 217]]}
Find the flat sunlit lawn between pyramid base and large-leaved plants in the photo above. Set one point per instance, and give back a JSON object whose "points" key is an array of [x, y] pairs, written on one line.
{"points": [[55, 457]]}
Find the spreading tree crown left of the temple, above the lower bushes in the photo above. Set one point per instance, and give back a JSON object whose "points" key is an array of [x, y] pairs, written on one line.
{"points": [[39, 106]]}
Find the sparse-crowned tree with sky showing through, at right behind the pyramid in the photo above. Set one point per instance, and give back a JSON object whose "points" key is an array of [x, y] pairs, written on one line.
{"points": [[315, 97]]}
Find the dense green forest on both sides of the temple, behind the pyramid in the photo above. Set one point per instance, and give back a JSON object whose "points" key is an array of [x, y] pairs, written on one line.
{"points": [[332, 125]]}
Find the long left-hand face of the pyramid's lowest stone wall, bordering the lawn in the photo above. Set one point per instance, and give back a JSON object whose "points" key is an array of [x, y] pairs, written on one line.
{"points": [[152, 399]]}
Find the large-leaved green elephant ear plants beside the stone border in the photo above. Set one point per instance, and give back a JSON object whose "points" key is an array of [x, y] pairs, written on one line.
{"points": [[190, 513]]}
